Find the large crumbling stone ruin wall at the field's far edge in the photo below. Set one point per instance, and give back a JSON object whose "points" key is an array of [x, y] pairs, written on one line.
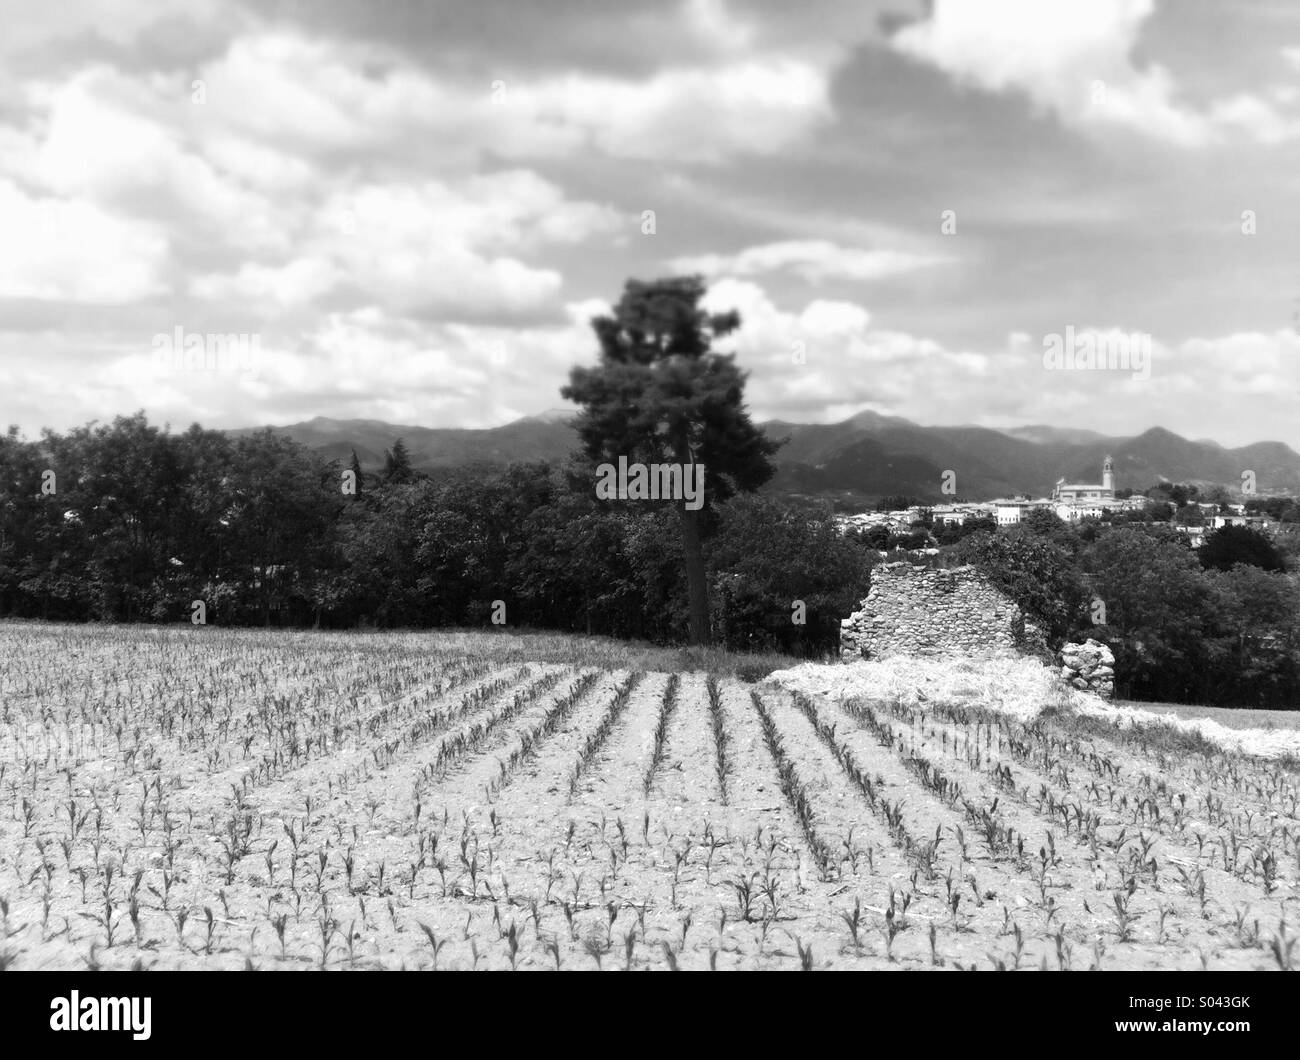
{"points": [[929, 612]]}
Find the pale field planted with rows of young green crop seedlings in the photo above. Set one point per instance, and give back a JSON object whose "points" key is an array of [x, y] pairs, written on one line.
{"points": [[222, 799]]}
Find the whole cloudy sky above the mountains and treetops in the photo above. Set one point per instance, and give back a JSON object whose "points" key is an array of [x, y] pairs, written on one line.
{"points": [[244, 213]]}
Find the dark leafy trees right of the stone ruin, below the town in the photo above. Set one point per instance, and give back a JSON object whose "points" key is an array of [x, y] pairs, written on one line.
{"points": [[1184, 630]]}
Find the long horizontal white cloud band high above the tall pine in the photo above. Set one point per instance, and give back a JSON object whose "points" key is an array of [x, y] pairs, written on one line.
{"points": [[326, 97]]}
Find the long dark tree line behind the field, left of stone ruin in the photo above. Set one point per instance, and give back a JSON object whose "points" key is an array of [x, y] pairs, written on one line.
{"points": [[138, 525]]}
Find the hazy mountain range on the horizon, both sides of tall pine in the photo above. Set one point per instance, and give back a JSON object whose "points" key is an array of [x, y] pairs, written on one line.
{"points": [[861, 458]]}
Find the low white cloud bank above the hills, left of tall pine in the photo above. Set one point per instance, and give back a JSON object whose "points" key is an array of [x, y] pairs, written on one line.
{"points": [[358, 364]]}
